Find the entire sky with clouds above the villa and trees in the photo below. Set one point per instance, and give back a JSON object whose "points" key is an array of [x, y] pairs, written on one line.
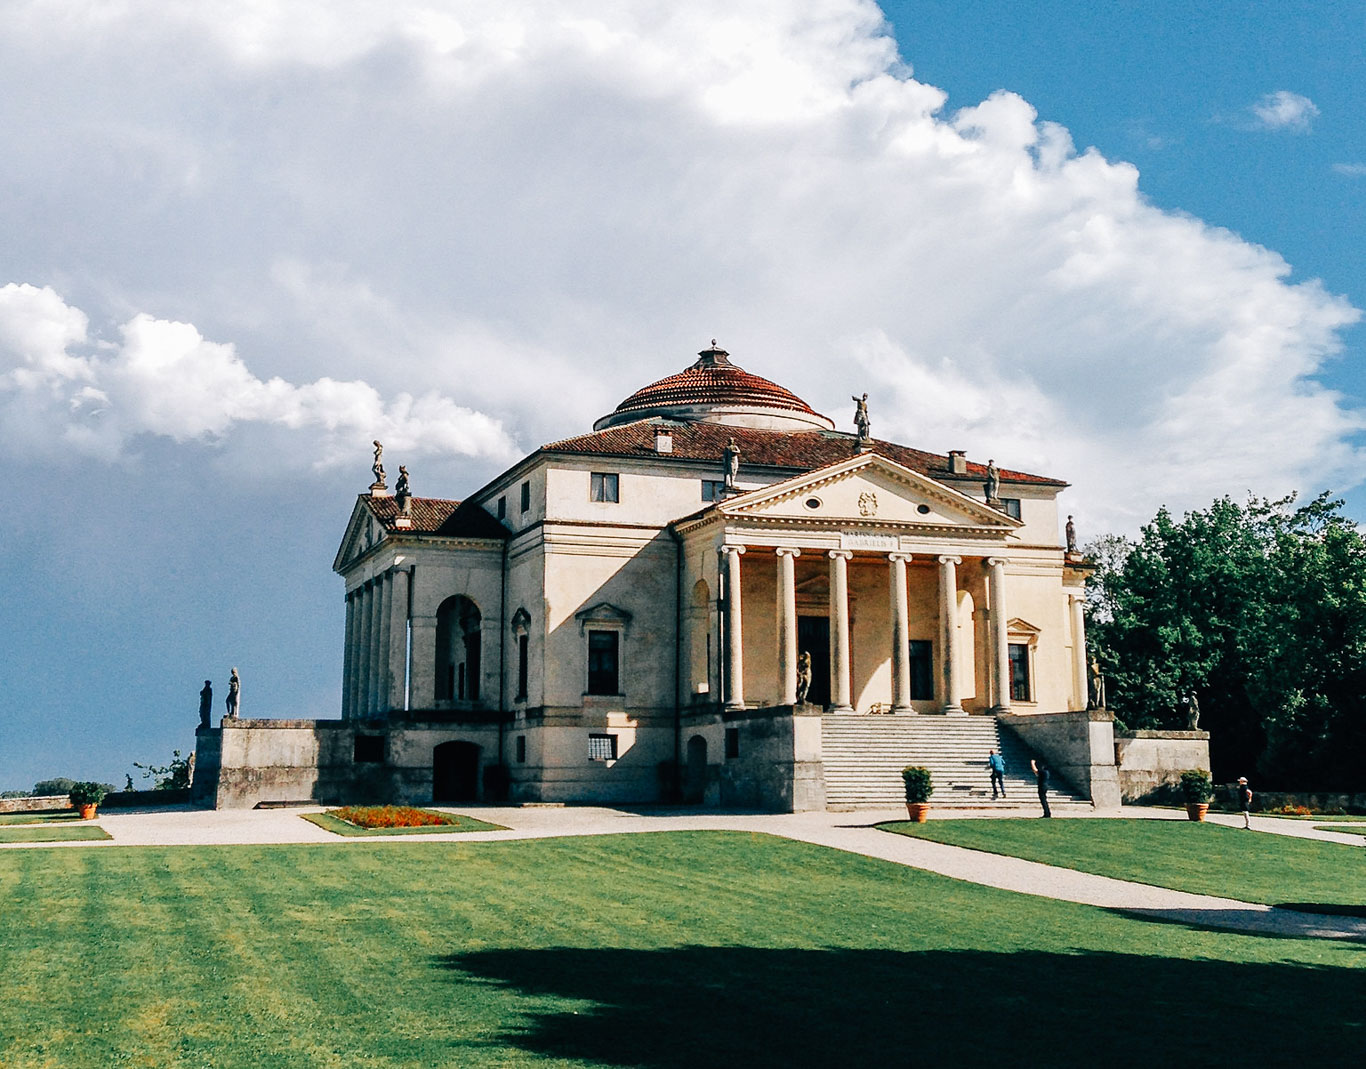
{"points": [[244, 241]]}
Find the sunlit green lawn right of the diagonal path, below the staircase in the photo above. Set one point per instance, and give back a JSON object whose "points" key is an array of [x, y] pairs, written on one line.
{"points": [[1203, 858]]}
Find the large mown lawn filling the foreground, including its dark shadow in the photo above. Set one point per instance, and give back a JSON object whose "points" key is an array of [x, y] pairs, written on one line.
{"points": [[662, 951]]}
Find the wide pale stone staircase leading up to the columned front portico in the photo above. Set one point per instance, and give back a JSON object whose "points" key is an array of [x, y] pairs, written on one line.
{"points": [[865, 756]]}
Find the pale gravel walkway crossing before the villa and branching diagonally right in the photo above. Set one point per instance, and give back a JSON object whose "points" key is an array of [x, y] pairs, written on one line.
{"points": [[853, 832]]}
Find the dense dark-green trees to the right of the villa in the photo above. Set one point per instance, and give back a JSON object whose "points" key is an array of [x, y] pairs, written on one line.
{"points": [[1260, 611]]}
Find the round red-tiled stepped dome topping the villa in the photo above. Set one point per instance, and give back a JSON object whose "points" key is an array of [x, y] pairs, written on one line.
{"points": [[716, 391]]}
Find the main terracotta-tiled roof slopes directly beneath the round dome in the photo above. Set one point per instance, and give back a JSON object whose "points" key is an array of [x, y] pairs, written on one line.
{"points": [[790, 450]]}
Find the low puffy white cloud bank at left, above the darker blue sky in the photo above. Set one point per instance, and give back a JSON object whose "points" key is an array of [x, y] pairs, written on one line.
{"points": [[166, 379]]}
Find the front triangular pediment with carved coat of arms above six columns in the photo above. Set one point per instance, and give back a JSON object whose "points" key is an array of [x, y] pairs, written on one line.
{"points": [[868, 489]]}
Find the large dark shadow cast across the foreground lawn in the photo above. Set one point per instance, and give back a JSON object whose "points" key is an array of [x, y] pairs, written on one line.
{"points": [[685, 1007]]}
